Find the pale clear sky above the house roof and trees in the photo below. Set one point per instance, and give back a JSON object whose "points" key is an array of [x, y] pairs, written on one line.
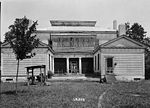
{"points": [[102, 11]]}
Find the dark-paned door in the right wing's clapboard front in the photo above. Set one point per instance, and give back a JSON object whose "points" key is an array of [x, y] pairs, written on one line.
{"points": [[109, 65]]}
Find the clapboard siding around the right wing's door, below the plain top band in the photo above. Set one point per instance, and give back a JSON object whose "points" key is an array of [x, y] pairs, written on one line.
{"points": [[127, 64]]}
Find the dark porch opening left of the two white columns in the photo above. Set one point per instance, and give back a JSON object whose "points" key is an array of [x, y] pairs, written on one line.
{"points": [[60, 65]]}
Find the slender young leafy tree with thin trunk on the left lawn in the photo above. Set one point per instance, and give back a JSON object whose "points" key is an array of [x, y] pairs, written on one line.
{"points": [[22, 40]]}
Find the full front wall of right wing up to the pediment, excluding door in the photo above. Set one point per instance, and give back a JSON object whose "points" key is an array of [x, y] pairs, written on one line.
{"points": [[130, 62]]}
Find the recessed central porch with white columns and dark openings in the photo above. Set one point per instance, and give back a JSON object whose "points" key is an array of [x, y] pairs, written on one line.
{"points": [[76, 67]]}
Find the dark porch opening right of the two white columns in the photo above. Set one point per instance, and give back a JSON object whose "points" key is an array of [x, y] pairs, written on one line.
{"points": [[87, 66]]}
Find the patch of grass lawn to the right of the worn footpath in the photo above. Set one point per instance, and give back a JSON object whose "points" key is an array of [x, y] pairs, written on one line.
{"points": [[128, 95]]}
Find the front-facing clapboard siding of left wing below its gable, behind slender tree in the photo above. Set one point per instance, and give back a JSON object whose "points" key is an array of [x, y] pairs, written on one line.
{"points": [[10, 64]]}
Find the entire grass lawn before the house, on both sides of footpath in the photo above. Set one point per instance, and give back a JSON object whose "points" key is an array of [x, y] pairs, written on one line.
{"points": [[76, 94]]}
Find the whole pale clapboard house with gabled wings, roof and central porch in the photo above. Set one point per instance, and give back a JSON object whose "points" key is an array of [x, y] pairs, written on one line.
{"points": [[79, 47]]}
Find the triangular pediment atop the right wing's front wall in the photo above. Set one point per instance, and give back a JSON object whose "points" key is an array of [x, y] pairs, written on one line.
{"points": [[124, 42]]}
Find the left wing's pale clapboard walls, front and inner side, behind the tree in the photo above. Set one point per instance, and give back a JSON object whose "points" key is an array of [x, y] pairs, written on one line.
{"points": [[9, 64]]}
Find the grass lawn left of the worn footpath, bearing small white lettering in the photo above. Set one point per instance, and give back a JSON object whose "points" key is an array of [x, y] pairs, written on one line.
{"points": [[83, 94]]}
